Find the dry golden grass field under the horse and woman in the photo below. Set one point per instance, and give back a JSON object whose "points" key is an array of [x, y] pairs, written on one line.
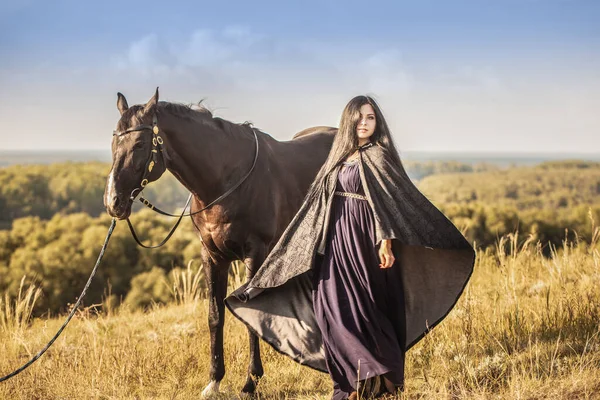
{"points": [[527, 327]]}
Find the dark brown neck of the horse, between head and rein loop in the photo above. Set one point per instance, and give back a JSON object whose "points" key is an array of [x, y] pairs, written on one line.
{"points": [[202, 157]]}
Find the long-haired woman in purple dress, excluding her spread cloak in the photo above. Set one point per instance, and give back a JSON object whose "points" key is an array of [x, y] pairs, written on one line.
{"points": [[354, 294]]}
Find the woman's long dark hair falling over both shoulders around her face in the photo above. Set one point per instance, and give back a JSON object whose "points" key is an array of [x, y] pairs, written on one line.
{"points": [[346, 139]]}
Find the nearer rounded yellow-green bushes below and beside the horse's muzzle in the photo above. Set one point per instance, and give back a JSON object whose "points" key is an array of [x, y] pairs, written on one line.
{"points": [[58, 255]]}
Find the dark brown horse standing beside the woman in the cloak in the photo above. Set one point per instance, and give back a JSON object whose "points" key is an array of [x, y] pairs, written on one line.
{"points": [[209, 155]]}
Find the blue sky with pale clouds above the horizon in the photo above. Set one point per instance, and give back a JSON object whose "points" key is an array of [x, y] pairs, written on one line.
{"points": [[476, 75]]}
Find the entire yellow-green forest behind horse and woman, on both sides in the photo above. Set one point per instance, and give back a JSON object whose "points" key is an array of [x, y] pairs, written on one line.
{"points": [[52, 222]]}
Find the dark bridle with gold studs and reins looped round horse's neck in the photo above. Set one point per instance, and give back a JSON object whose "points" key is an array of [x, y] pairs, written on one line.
{"points": [[157, 142]]}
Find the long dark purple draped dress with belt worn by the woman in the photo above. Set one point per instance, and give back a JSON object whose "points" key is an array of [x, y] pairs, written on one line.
{"points": [[359, 307]]}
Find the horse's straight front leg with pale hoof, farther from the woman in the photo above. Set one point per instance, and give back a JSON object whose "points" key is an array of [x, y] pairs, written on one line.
{"points": [[216, 275]]}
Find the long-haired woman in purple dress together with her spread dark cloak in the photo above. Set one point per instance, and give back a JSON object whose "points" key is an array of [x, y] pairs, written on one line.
{"points": [[366, 267]]}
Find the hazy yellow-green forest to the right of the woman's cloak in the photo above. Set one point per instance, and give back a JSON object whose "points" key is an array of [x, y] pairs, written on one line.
{"points": [[551, 201]]}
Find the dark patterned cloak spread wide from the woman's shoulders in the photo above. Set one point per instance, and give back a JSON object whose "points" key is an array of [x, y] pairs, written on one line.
{"points": [[435, 259]]}
